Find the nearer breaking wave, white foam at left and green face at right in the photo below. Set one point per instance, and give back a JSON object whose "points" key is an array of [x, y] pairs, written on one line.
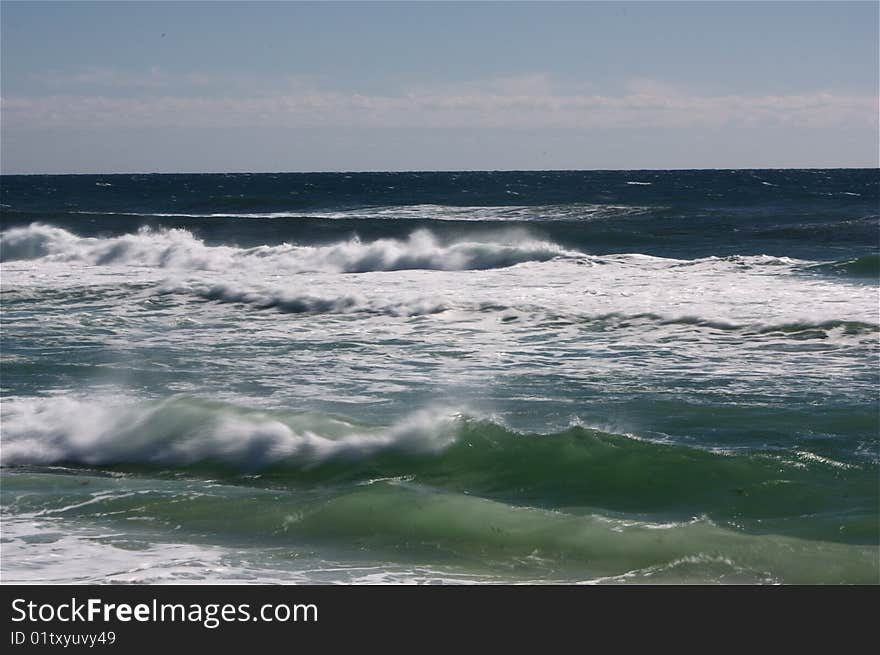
{"points": [[445, 449]]}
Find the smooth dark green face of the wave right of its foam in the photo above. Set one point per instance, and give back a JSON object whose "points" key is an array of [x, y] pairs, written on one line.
{"points": [[588, 468]]}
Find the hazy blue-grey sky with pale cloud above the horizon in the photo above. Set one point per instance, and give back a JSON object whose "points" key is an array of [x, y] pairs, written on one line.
{"points": [[345, 86]]}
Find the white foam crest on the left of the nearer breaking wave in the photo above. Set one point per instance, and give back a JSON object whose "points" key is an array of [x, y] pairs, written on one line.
{"points": [[182, 431]]}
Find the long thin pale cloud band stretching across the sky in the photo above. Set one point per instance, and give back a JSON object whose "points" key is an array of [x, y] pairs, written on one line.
{"points": [[526, 102]]}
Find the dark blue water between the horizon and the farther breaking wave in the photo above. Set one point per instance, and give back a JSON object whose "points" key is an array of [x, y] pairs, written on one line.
{"points": [[804, 214]]}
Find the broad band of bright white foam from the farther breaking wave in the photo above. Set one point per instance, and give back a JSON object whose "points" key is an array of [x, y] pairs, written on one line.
{"points": [[756, 294]]}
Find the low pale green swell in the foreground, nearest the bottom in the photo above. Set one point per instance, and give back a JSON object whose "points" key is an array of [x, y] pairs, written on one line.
{"points": [[416, 522]]}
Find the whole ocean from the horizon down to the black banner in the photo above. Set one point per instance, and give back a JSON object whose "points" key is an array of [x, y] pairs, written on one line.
{"points": [[477, 377]]}
